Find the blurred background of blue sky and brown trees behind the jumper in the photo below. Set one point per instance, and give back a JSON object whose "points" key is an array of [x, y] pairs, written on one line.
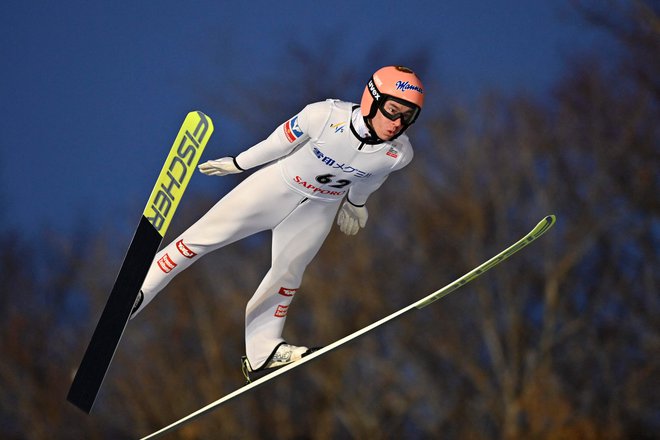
{"points": [[531, 110]]}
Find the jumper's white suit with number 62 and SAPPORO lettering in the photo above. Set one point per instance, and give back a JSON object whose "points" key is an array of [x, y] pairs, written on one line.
{"points": [[314, 160]]}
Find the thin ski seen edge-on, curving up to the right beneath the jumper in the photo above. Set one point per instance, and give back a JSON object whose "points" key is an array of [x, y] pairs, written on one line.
{"points": [[540, 229]]}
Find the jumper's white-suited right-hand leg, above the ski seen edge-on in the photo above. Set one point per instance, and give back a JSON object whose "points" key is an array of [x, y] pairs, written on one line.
{"points": [[296, 240]]}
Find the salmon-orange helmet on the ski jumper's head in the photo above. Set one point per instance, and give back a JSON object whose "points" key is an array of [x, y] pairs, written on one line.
{"points": [[395, 83]]}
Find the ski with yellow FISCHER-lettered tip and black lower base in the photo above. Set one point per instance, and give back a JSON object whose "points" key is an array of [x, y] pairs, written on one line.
{"points": [[163, 201]]}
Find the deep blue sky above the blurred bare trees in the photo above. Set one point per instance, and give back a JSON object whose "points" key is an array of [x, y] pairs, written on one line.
{"points": [[93, 92]]}
